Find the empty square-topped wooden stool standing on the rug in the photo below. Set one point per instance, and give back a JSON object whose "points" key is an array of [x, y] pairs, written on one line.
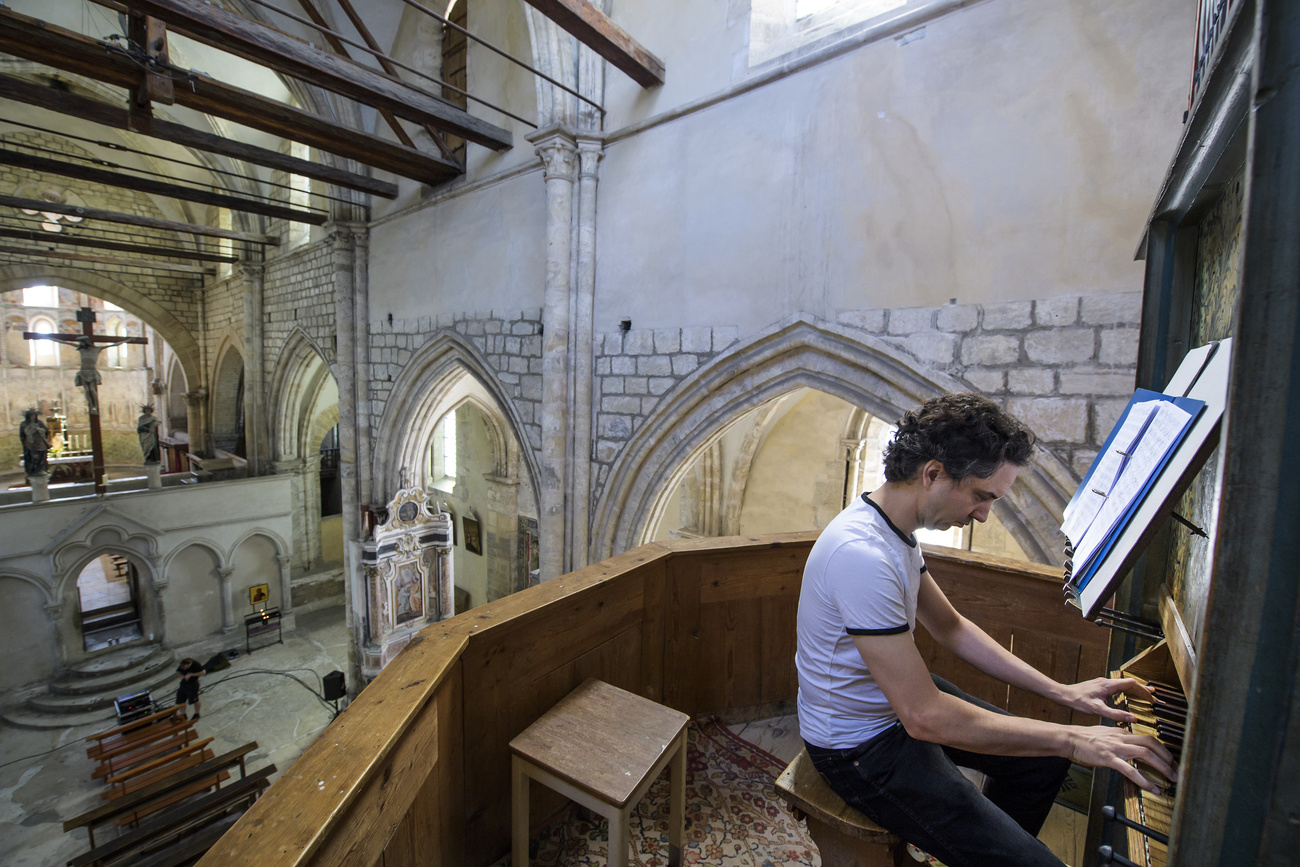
{"points": [[603, 747]]}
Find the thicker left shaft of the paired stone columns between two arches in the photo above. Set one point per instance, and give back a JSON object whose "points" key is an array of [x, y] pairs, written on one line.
{"points": [[558, 153]]}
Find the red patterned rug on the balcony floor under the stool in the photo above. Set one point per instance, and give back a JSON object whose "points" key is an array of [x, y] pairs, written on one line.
{"points": [[734, 817]]}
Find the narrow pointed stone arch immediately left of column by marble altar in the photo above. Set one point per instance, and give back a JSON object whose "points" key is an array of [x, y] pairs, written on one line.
{"points": [[297, 383]]}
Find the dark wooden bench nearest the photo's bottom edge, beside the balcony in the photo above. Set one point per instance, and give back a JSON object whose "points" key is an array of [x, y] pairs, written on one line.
{"points": [[181, 834]]}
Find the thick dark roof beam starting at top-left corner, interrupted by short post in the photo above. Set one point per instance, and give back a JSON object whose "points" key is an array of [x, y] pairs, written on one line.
{"points": [[60, 49]]}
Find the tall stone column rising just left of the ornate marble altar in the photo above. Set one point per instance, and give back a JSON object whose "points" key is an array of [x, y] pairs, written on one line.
{"points": [[343, 240]]}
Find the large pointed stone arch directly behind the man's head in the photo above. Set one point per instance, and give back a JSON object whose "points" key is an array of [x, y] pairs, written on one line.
{"points": [[795, 354]]}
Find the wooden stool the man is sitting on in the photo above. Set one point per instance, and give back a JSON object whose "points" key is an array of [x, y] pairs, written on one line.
{"points": [[844, 836]]}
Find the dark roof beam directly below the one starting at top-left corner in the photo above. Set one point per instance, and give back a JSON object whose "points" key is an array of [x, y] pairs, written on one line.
{"points": [[106, 115]]}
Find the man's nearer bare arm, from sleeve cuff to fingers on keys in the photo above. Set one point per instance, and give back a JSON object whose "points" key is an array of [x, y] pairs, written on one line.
{"points": [[939, 718]]}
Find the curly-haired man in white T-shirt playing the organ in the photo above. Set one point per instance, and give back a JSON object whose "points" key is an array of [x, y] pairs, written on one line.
{"points": [[883, 731]]}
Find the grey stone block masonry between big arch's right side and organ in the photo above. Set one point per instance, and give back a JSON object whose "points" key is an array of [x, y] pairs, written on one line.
{"points": [[1061, 365]]}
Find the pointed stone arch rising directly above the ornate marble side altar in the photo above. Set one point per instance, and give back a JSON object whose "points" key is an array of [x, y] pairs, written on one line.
{"points": [[443, 375]]}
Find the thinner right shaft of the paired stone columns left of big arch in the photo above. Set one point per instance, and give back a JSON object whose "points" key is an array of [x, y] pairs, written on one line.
{"points": [[590, 157]]}
